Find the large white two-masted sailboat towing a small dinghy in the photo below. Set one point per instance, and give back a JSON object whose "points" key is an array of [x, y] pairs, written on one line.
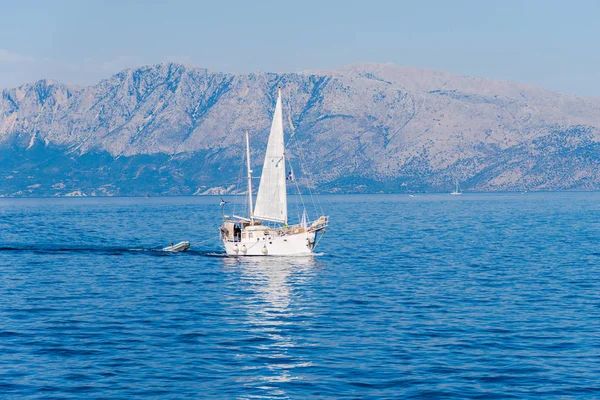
{"points": [[266, 232]]}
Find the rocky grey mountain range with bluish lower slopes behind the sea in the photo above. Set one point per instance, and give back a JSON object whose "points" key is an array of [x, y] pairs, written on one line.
{"points": [[174, 129]]}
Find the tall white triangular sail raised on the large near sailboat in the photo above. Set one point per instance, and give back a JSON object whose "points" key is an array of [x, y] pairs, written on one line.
{"points": [[271, 201]]}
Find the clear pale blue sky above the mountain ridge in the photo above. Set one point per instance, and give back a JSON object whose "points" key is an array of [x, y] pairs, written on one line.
{"points": [[552, 44]]}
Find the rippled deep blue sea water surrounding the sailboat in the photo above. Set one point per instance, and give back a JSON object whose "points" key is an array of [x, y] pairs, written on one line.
{"points": [[477, 296]]}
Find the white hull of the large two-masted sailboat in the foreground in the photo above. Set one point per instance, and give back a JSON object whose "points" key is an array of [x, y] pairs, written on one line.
{"points": [[299, 244]]}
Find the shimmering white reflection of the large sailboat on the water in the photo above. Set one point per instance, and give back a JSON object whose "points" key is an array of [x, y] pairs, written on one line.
{"points": [[272, 301]]}
